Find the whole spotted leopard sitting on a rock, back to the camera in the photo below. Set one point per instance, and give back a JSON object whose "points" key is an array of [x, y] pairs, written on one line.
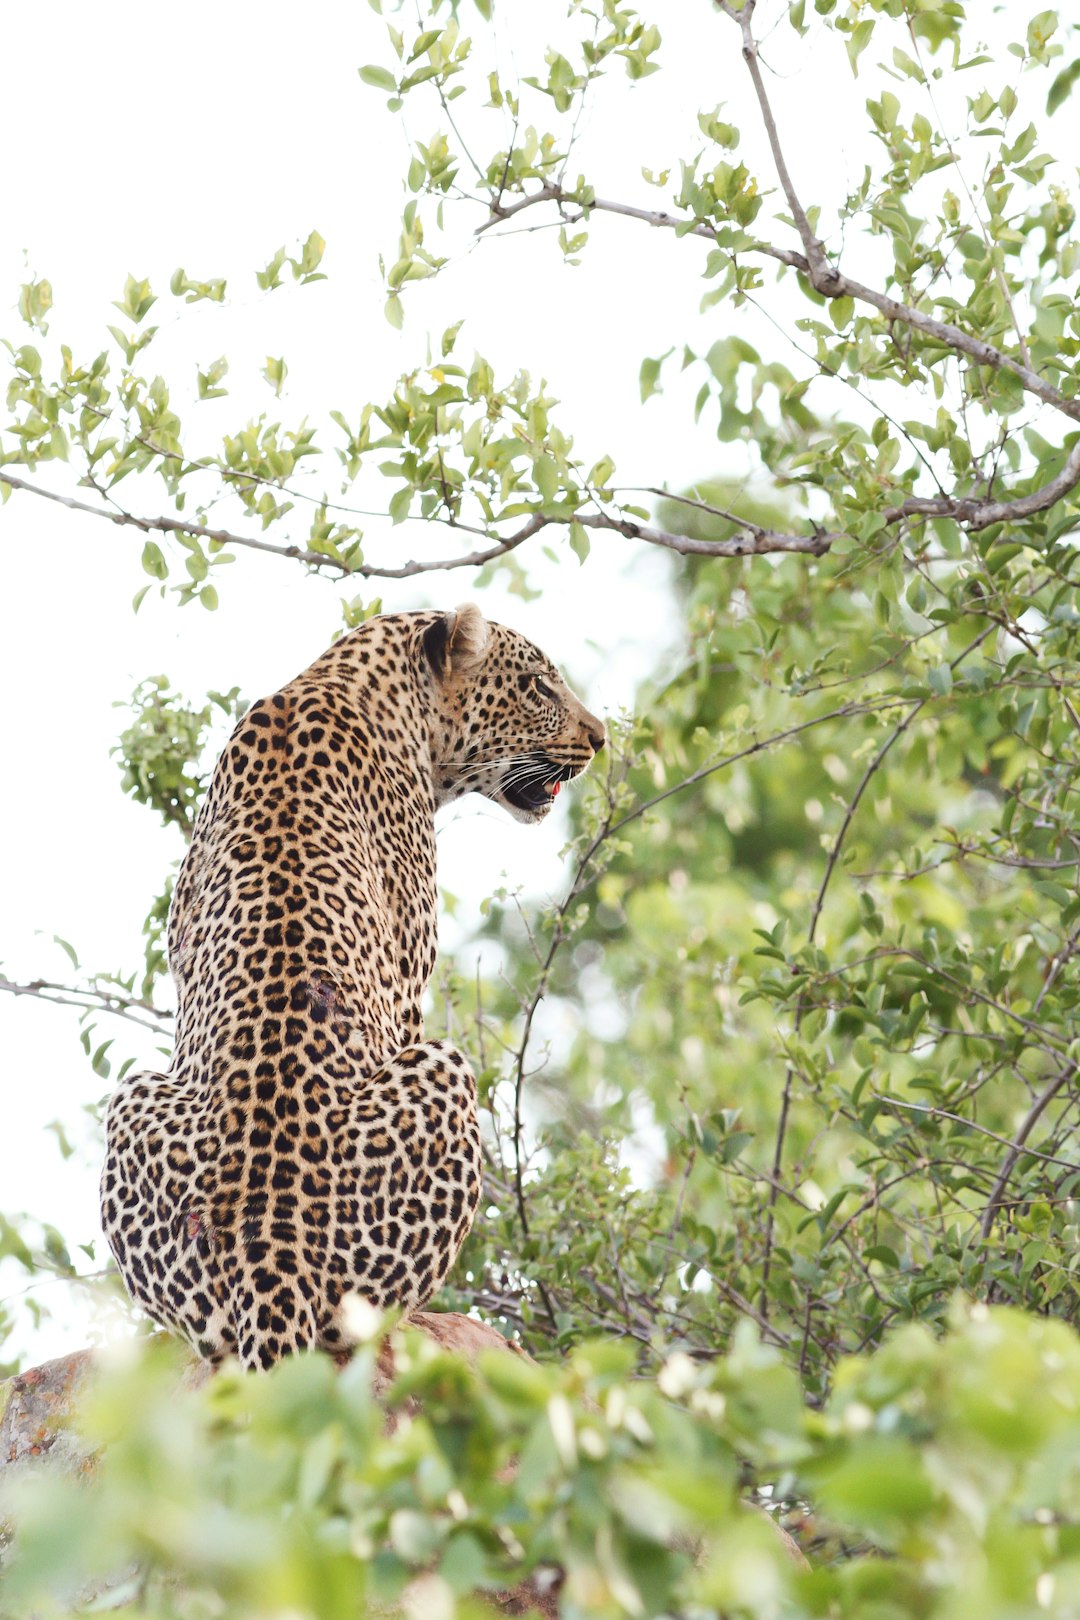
{"points": [[308, 1146]]}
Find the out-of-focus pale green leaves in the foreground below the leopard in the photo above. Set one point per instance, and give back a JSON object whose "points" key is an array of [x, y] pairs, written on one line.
{"points": [[943, 1473]]}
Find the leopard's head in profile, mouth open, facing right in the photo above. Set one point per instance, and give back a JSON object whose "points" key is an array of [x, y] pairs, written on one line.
{"points": [[504, 722]]}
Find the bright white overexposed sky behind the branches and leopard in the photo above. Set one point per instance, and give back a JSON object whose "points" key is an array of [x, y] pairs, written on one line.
{"points": [[205, 139]]}
